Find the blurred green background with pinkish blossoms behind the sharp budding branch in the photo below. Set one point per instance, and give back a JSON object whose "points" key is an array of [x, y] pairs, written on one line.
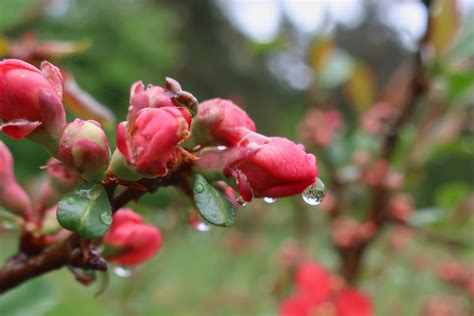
{"points": [[324, 73]]}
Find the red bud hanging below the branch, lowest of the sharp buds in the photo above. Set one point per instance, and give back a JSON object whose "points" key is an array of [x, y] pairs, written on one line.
{"points": [[136, 241]]}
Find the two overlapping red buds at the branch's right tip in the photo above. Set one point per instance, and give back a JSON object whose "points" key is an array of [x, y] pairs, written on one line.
{"points": [[262, 166]]}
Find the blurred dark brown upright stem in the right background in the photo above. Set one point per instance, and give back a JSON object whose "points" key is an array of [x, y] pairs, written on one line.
{"points": [[352, 257]]}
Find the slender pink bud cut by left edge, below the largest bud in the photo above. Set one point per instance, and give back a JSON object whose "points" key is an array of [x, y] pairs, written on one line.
{"points": [[12, 195]]}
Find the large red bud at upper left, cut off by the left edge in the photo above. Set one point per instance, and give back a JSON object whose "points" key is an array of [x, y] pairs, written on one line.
{"points": [[30, 100]]}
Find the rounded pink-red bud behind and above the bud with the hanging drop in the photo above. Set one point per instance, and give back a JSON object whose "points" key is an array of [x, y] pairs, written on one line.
{"points": [[220, 122]]}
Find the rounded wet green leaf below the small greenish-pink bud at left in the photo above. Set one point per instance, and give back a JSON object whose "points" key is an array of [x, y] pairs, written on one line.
{"points": [[86, 211]]}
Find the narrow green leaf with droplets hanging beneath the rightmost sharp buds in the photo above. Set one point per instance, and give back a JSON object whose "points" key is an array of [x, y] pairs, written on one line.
{"points": [[213, 206]]}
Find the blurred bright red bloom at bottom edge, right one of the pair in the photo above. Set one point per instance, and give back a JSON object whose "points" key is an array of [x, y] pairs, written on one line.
{"points": [[351, 302]]}
